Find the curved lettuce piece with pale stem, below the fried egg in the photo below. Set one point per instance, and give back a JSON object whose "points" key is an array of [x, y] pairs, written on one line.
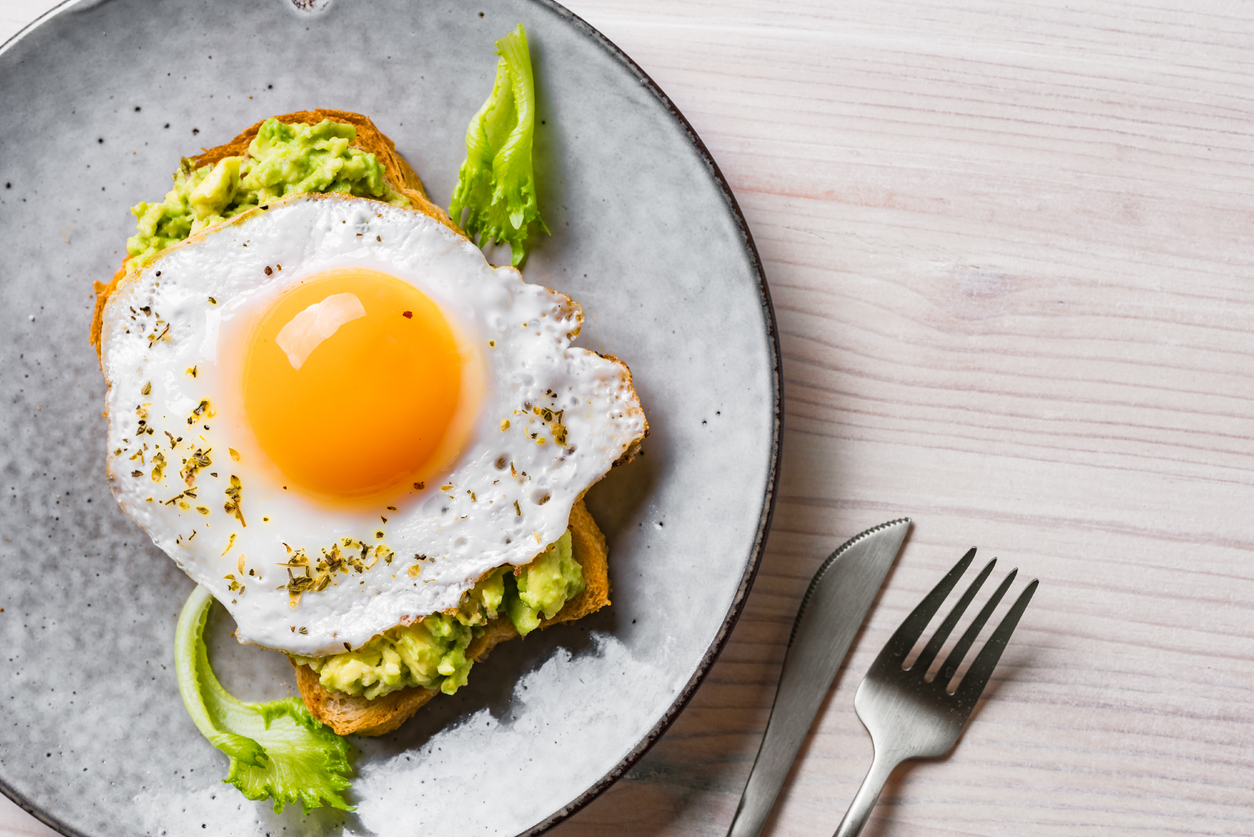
{"points": [[278, 750]]}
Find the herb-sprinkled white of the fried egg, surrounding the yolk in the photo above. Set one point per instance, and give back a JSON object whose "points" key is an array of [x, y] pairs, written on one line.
{"points": [[511, 494]]}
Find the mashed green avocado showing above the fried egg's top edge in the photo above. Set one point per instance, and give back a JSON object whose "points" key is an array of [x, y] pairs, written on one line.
{"points": [[283, 160]]}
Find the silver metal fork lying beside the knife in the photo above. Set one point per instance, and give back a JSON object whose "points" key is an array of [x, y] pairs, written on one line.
{"points": [[912, 717]]}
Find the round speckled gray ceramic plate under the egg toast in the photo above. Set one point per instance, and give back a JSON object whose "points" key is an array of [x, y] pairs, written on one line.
{"points": [[98, 101]]}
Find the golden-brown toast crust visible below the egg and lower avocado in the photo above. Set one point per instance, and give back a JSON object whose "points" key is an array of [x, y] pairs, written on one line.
{"points": [[349, 715]]}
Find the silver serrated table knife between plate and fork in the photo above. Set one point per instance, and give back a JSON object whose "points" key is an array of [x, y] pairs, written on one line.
{"points": [[832, 610]]}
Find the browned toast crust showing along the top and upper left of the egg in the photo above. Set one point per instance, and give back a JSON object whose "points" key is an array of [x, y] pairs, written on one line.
{"points": [[399, 175]]}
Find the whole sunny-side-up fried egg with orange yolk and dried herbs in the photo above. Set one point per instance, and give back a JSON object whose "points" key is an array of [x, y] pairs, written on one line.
{"points": [[338, 416]]}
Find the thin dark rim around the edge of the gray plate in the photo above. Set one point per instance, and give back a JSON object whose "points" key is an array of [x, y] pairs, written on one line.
{"points": [[764, 523]]}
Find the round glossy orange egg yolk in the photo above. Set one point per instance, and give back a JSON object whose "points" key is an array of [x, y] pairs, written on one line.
{"points": [[352, 383]]}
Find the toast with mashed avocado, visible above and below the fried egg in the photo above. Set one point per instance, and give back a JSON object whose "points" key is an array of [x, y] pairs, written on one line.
{"points": [[371, 690]]}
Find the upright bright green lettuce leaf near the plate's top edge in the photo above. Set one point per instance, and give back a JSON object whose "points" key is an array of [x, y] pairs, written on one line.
{"points": [[497, 186]]}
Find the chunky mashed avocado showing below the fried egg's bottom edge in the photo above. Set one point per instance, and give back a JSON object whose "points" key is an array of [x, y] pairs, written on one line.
{"points": [[432, 652]]}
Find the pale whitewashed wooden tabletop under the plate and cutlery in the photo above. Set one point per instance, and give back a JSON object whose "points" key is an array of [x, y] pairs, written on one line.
{"points": [[1011, 248]]}
